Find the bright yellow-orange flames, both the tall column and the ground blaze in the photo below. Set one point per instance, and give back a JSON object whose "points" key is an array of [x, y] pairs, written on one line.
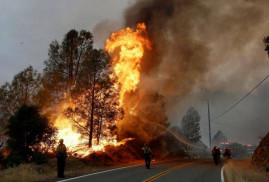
{"points": [[127, 48]]}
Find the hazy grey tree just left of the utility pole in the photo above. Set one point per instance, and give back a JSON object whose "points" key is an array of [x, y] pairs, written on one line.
{"points": [[190, 125]]}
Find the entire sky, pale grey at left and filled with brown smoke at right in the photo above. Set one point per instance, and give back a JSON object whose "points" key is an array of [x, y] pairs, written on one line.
{"points": [[202, 50]]}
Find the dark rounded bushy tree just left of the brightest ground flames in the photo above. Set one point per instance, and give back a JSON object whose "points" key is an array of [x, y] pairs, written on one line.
{"points": [[28, 130]]}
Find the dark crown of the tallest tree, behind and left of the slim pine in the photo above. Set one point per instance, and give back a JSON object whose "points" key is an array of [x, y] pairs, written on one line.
{"points": [[66, 62]]}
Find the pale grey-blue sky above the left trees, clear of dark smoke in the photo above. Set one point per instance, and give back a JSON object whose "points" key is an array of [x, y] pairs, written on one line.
{"points": [[27, 27]]}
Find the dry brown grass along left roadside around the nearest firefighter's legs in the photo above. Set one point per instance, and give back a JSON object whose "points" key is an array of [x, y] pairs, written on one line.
{"points": [[48, 172]]}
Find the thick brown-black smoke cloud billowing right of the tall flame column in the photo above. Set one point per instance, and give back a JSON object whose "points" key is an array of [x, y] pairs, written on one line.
{"points": [[213, 47]]}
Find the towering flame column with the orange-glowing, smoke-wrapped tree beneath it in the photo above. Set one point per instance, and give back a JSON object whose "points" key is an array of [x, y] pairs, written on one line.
{"points": [[143, 109]]}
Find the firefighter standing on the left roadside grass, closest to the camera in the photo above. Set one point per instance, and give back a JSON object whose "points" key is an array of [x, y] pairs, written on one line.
{"points": [[61, 156]]}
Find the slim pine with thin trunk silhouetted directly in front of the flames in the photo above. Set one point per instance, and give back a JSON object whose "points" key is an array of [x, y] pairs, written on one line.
{"points": [[95, 99]]}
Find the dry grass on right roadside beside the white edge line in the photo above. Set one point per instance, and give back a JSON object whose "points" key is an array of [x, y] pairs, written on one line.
{"points": [[244, 171]]}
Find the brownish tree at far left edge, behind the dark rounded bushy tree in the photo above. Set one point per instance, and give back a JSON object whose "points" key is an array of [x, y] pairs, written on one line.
{"points": [[22, 90]]}
